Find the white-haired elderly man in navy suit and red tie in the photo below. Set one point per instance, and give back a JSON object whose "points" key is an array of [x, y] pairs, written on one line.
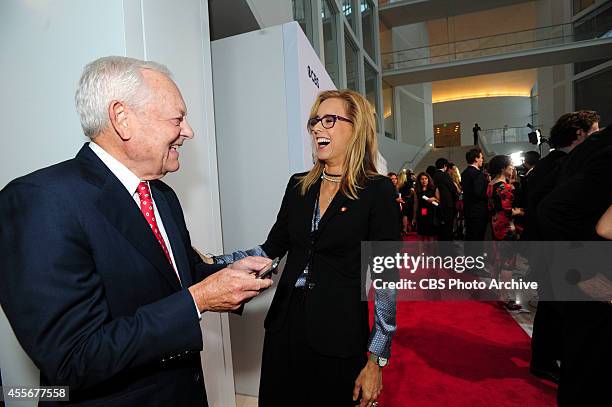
{"points": [[99, 279]]}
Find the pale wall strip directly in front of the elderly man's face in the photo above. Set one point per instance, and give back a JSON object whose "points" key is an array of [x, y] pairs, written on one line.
{"points": [[176, 33]]}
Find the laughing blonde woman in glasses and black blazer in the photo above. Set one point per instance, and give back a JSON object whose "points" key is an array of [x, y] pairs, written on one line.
{"points": [[317, 333]]}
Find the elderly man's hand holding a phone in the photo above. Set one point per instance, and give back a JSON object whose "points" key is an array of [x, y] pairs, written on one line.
{"points": [[227, 289]]}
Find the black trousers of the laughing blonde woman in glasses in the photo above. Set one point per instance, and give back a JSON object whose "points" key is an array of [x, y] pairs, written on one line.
{"points": [[293, 374]]}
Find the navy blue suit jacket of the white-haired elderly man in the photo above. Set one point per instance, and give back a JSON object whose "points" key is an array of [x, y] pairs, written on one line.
{"points": [[89, 293]]}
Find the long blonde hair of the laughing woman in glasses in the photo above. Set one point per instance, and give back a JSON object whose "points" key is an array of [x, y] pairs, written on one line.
{"points": [[362, 150]]}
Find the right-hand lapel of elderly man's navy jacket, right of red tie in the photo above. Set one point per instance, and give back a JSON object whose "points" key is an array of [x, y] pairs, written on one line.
{"points": [[174, 236]]}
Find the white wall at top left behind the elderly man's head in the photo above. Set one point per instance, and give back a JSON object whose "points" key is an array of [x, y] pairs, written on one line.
{"points": [[42, 59]]}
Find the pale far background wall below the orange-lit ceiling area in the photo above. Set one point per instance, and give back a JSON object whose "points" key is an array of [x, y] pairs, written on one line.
{"points": [[489, 113]]}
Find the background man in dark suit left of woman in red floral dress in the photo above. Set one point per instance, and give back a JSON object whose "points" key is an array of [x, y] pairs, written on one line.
{"points": [[448, 199]]}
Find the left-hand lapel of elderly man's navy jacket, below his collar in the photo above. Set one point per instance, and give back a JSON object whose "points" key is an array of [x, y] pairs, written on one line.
{"points": [[117, 205]]}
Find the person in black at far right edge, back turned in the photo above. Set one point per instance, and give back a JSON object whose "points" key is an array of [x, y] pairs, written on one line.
{"points": [[571, 212]]}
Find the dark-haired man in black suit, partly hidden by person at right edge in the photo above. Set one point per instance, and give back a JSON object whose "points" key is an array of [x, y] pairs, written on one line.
{"points": [[570, 130]]}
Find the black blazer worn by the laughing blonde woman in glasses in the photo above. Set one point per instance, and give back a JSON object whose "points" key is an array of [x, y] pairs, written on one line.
{"points": [[336, 318]]}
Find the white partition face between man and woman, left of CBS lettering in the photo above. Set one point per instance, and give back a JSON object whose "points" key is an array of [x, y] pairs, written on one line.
{"points": [[251, 110]]}
